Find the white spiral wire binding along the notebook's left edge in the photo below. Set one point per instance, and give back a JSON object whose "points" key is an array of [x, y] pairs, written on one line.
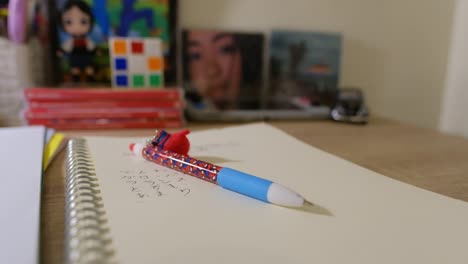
{"points": [[86, 234]]}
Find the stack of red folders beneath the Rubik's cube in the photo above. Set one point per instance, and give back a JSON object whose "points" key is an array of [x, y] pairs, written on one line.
{"points": [[104, 108]]}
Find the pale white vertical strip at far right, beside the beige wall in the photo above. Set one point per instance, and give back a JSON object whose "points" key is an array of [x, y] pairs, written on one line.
{"points": [[454, 117]]}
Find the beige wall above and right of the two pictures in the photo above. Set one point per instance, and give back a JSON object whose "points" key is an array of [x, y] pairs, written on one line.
{"points": [[395, 50]]}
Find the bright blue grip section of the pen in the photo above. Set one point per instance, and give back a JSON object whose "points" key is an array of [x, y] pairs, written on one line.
{"points": [[244, 183]]}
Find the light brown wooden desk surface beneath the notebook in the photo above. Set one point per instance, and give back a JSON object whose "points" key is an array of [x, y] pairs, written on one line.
{"points": [[420, 157]]}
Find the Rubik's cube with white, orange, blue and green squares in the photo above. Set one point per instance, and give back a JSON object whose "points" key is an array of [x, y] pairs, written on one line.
{"points": [[136, 62]]}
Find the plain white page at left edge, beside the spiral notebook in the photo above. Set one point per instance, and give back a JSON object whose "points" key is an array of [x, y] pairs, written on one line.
{"points": [[20, 195]]}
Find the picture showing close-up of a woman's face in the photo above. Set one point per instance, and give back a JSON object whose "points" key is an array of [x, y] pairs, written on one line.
{"points": [[223, 69]]}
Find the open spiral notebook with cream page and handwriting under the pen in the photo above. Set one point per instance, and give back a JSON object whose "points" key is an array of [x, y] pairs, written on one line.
{"points": [[122, 209]]}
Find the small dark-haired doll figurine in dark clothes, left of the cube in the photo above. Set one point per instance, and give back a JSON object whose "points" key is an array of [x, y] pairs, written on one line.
{"points": [[77, 20]]}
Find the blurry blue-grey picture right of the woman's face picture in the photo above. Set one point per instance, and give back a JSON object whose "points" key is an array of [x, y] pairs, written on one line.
{"points": [[305, 66]]}
